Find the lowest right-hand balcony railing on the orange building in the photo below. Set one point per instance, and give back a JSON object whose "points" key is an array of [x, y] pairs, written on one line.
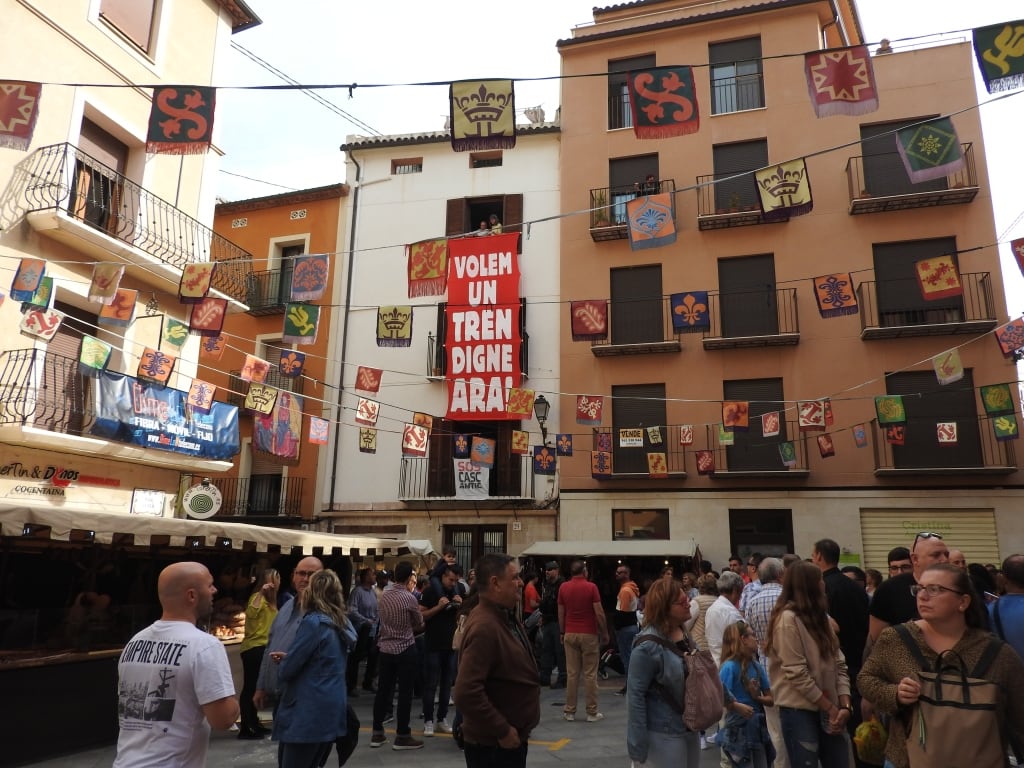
{"points": [[976, 453]]}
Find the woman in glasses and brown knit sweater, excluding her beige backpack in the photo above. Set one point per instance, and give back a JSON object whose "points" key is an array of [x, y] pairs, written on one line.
{"points": [[953, 618]]}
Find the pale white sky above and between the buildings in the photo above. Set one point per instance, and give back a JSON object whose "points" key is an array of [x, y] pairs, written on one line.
{"points": [[407, 41]]}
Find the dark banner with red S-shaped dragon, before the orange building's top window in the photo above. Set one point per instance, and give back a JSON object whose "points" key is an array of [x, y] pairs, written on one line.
{"points": [[664, 103]]}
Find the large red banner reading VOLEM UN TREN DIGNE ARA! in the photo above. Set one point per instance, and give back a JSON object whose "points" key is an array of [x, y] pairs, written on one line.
{"points": [[483, 340]]}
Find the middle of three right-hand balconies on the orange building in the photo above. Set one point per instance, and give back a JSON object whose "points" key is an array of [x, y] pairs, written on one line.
{"points": [[901, 311]]}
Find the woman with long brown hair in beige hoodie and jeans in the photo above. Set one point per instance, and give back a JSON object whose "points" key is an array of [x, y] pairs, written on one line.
{"points": [[808, 673]]}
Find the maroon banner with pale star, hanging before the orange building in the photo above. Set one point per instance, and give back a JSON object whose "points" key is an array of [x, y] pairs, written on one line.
{"points": [[841, 81]]}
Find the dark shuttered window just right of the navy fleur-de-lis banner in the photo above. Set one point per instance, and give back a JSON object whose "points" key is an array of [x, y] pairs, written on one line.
{"points": [[747, 294]]}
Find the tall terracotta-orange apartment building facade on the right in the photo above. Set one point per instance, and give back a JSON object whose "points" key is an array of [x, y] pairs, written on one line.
{"points": [[766, 346]]}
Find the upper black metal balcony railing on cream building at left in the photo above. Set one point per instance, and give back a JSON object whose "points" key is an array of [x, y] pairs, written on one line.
{"points": [[64, 179]]}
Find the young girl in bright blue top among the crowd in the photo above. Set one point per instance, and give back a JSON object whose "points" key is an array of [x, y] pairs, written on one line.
{"points": [[745, 740]]}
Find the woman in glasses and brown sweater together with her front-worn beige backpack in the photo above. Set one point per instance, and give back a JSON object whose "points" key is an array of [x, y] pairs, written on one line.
{"points": [[897, 675]]}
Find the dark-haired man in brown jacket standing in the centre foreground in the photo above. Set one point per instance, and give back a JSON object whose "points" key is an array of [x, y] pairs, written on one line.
{"points": [[497, 689]]}
